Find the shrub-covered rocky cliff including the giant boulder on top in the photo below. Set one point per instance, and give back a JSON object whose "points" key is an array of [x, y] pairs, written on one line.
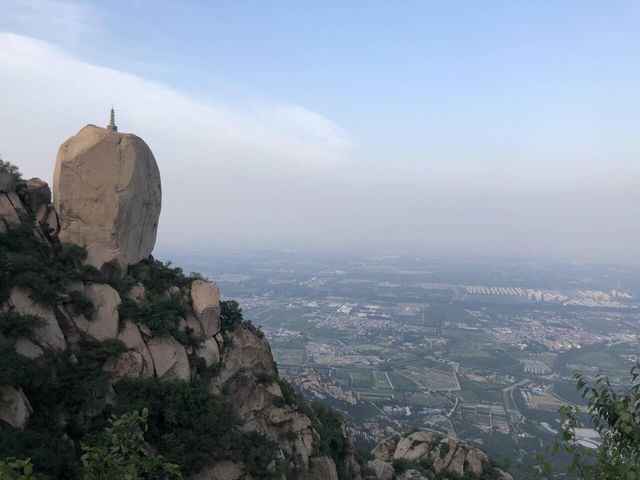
{"points": [[78, 343]]}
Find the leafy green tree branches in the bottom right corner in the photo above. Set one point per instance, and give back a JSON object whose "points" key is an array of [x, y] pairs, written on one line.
{"points": [[616, 416]]}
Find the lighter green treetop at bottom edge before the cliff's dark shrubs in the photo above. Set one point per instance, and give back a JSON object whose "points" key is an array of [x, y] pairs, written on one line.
{"points": [[125, 454]]}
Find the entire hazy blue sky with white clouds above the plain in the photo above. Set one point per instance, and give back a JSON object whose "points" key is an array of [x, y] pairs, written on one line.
{"points": [[460, 127]]}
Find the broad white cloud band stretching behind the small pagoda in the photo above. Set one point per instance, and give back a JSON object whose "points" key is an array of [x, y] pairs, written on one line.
{"points": [[44, 84]]}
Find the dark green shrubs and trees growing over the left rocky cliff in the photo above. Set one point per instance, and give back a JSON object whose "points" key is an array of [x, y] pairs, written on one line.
{"points": [[70, 433]]}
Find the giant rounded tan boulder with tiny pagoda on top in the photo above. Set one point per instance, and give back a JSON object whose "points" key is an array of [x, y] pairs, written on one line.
{"points": [[107, 193]]}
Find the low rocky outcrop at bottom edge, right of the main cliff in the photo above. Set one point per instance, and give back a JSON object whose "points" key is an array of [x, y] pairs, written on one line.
{"points": [[444, 455]]}
